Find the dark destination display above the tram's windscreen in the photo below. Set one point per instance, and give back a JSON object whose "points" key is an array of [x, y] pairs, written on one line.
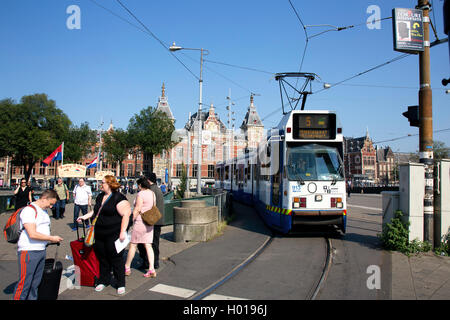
{"points": [[314, 126]]}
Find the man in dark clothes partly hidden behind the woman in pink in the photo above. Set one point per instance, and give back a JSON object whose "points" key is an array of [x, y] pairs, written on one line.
{"points": [[157, 227]]}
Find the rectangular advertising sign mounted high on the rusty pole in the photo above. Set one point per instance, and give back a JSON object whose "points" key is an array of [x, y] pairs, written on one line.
{"points": [[407, 28]]}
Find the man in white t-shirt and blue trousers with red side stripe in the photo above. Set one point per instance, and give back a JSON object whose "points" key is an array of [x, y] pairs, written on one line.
{"points": [[35, 225]]}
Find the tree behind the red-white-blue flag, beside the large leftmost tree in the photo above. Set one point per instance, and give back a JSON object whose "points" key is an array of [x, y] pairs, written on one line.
{"points": [[79, 142]]}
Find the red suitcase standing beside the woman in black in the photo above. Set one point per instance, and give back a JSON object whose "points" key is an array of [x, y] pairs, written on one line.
{"points": [[84, 258]]}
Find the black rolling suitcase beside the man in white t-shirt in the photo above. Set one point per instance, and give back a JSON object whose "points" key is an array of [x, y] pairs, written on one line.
{"points": [[49, 287]]}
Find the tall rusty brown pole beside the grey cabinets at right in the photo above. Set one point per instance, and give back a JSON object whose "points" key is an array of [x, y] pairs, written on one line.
{"points": [[426, 123]]}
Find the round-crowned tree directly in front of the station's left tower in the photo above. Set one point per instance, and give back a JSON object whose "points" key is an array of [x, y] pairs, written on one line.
{"points": [[151, 132]]}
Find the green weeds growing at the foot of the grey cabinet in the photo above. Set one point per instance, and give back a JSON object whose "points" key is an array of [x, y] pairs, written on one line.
{"points": [[395, 237]]}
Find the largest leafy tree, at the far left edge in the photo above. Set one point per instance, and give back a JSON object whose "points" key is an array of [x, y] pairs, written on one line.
{"points": [[31, 130]]}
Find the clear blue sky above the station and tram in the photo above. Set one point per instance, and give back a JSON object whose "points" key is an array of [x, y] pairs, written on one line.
{"points": [[109, 69]]}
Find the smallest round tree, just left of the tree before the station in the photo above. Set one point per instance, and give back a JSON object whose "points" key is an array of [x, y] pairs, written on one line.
{"points": [[116, 144]]}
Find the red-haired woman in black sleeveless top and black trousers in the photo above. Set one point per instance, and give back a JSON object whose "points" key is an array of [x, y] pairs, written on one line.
{"points": [[113, 210]]}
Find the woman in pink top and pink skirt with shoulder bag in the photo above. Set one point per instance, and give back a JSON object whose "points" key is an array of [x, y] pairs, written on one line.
{"points": [[142, 233]]}
